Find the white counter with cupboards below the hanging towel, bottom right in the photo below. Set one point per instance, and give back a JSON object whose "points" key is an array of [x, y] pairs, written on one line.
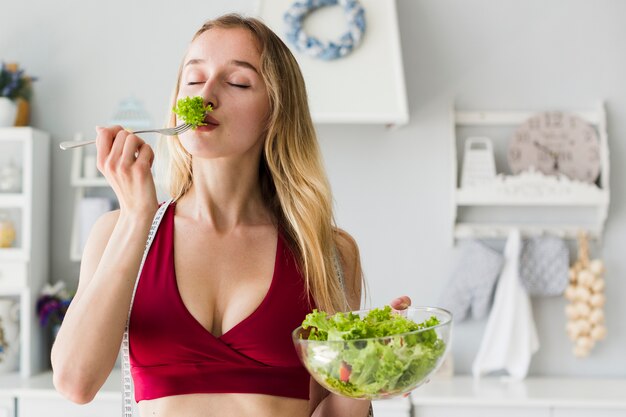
{"points": [[464, 396]]}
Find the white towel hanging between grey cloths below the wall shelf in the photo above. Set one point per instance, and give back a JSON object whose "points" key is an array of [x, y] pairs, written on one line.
{"points": [[510, 337]]}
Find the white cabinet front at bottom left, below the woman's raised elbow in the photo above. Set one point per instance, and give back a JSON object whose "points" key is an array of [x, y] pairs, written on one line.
{"points": [[53, 407]]}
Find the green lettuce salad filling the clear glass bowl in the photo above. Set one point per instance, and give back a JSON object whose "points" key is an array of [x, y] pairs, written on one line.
{"points": [[379, 354]]}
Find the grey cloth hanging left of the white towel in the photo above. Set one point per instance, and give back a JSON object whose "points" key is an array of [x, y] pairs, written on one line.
{"points": [[472, 282]]}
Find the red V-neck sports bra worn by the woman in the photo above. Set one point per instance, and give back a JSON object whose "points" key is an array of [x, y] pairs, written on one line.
{"points": [[171, 353]]}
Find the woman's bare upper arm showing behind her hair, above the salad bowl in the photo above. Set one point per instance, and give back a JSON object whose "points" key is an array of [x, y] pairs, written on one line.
{"points": [[351, 263]]}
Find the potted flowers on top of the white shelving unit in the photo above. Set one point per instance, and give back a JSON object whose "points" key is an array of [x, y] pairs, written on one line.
{"points": [[15, 93]]}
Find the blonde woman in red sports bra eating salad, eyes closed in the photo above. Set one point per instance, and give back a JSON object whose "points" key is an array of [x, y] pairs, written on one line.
{"points": [[244, 250]]}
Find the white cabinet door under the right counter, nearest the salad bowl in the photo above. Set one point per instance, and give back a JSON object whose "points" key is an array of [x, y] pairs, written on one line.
{"points": [[480, 411]]}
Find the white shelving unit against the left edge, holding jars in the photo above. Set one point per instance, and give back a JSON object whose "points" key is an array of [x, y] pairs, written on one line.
{"points": [[24, 266]]}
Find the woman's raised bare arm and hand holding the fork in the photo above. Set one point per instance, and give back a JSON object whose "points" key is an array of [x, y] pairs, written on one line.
{"points": [[89, 340]]}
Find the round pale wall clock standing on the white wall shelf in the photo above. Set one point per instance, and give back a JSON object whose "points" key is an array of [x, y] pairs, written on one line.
{"points": [[556, 143]]}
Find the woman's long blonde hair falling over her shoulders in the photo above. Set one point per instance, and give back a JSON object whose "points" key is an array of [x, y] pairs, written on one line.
{"points": [[292, 176]]}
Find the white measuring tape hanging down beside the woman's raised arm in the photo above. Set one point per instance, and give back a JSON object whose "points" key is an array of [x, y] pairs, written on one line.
{"points": [[127, 380]]}
